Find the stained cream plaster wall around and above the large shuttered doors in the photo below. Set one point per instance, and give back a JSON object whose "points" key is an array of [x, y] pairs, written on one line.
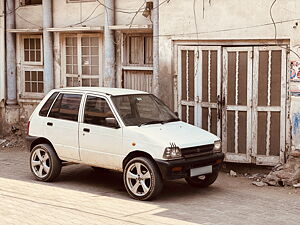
{"points": [[223, 20]]}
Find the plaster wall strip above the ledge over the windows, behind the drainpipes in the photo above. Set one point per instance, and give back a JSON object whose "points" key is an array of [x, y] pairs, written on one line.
{"points": [[70, 14]]}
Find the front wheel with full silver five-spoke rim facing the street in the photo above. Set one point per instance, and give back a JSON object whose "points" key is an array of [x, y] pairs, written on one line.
{"points": [[142, 178]]}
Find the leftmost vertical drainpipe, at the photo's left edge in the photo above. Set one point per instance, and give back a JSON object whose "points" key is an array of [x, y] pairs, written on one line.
{"points": [[11, 71]]}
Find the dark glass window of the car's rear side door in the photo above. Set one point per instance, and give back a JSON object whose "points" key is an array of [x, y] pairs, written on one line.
{"points": [[66, 107]]}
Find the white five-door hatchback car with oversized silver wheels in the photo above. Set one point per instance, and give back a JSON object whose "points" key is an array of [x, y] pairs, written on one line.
{"points": [[125, 130]]}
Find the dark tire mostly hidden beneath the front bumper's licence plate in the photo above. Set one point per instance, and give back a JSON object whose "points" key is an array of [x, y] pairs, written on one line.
{"points": [[203, 180]]}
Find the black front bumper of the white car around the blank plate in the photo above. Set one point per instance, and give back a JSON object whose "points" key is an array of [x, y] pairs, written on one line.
{"points": [[180, 168]]}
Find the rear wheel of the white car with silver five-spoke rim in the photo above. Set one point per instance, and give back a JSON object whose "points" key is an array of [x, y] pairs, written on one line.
{"points": [[44, 163]]}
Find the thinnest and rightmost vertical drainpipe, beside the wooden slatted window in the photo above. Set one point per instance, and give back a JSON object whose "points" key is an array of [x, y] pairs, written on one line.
{"points": [[155, 19]]}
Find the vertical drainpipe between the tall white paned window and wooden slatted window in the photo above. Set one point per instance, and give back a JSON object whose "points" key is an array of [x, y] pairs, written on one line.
{"points": [[109, 45]]}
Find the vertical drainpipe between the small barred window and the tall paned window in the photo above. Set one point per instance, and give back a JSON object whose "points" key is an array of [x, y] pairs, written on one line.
{"points": [[48, 46]]}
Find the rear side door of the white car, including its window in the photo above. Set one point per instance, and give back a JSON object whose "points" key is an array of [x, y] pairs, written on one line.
{"points": [[62, 125]]}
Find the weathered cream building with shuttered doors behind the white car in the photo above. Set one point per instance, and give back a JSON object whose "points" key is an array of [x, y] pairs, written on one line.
{"points": [[226, 66]]}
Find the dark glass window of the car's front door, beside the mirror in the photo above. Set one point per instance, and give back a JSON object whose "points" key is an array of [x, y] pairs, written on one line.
{"points": [[96, 111]]}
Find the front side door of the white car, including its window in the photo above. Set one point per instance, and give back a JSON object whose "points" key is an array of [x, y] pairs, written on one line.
{"points": [[99, 137]]}
